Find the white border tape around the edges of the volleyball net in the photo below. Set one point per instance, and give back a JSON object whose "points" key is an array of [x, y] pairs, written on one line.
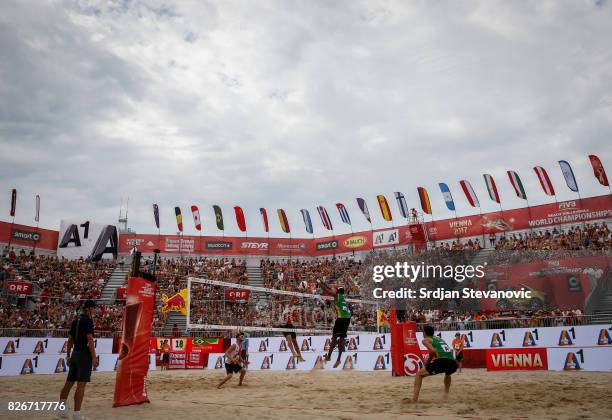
{"points": [[270, 292]]}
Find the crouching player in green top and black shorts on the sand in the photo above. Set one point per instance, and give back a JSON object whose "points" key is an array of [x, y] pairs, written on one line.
{"points": [[440, 361]]}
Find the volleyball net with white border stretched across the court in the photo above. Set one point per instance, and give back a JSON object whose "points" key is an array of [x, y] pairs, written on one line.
{"points": [[221, 306]]}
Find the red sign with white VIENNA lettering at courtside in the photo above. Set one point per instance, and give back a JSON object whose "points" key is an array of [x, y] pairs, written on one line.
{"points": [[517, 359]]}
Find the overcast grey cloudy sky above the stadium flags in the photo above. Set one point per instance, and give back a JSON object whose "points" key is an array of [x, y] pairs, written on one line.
{"points": [[294, 104]]}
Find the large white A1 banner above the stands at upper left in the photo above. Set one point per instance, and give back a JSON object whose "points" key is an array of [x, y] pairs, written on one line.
{"points": [[84, 238]]}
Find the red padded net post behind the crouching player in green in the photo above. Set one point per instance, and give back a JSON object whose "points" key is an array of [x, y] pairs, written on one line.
{"points": [[406, 358]]}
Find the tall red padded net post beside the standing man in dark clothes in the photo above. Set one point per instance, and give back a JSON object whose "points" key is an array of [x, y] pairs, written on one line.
{"points": [[134, 353]]}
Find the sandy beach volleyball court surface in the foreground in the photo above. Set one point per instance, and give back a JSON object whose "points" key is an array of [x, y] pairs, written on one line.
{"points": [[339, 395]]}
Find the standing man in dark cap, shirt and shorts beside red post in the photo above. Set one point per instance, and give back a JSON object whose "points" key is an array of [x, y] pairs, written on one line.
{"points": [[81, 360]]}
